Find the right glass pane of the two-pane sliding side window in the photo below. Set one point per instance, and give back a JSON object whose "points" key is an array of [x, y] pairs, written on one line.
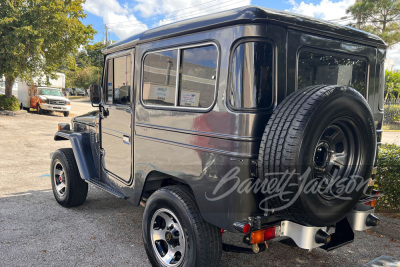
{"points": [[197, 79]]}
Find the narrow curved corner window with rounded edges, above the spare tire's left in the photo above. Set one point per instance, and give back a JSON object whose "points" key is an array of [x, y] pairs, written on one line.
{"points": [[251, 82]]}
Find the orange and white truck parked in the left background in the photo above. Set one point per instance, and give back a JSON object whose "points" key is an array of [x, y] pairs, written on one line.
{"points": [[50, 99]]}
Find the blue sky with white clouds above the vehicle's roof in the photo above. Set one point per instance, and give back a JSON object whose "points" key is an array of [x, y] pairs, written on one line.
{"points": [[128, 17]]}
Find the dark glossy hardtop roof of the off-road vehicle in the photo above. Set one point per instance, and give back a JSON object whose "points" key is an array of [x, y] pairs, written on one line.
{"points": [[244, 15]]}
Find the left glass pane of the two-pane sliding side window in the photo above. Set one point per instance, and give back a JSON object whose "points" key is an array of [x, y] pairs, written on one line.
{"points": [[159, 78]]}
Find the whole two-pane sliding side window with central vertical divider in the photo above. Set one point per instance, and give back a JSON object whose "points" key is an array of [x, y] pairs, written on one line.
{"points": [[180, 78]]}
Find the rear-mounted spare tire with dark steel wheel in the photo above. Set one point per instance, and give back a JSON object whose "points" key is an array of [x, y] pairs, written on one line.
{"points": [[326, 136]]}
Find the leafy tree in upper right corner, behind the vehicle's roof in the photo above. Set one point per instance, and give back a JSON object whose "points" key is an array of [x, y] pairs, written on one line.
{"points": [[379, 17]]}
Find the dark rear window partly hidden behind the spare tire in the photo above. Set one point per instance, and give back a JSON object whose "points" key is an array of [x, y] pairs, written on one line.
{"points": [[317, 68]]}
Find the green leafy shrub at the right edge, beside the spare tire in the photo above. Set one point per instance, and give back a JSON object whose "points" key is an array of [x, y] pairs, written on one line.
{"points": [[388, 176]]}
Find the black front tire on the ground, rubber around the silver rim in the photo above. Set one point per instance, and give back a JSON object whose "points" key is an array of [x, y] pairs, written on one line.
{"points": [[76, 189]]}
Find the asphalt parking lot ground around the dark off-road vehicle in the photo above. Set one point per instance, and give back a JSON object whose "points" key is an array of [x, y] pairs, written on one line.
{"points": [[105, 231]]}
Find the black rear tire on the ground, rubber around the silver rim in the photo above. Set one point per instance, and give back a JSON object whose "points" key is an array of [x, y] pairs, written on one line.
{"points": [[203, 240]]}
